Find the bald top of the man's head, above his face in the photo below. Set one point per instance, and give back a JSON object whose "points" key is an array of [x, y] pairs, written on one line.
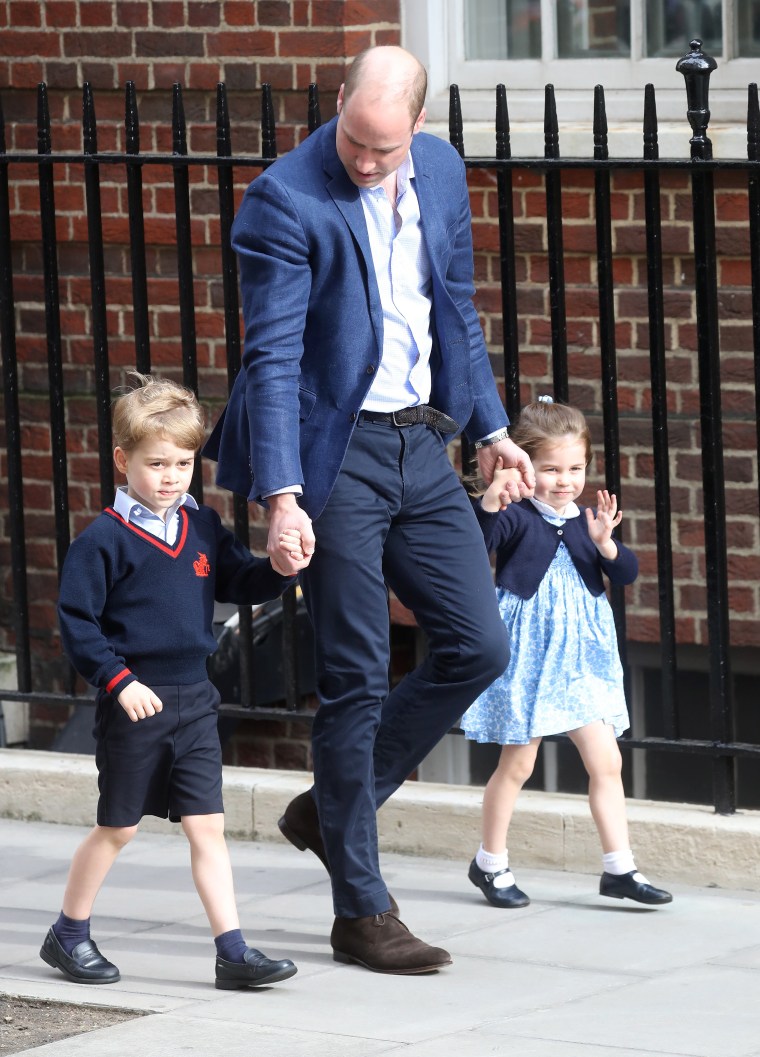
{"points": [[387, 75]]}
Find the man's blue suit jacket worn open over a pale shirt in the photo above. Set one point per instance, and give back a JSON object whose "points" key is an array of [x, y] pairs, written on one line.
{"points": [[314, 321]]}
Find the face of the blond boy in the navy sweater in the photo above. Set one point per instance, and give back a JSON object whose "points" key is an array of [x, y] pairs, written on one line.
{"points": [[158, 473]]}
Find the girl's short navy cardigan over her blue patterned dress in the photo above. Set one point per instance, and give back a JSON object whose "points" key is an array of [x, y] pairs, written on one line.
{"points": [[526, 545]]}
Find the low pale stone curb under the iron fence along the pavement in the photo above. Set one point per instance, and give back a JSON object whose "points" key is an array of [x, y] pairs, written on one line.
{"points": [[673, 843]]}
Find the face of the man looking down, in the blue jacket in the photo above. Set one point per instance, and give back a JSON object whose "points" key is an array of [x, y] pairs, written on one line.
{"points": [[373, 141]]}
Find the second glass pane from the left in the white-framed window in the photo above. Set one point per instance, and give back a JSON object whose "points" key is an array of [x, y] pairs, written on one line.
{"points": [[594, 29]]}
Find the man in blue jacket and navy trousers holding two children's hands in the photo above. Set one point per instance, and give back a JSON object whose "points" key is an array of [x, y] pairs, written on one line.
{"points": [[364, 356]]}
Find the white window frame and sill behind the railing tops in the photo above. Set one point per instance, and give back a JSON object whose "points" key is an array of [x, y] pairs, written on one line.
{"points": [[434, 30]]}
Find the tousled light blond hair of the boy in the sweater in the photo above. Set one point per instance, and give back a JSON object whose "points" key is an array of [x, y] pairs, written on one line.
{"points": [[158, 406]]}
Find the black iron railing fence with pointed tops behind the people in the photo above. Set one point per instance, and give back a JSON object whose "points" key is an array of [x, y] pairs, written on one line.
{"points": [[720, 747]]}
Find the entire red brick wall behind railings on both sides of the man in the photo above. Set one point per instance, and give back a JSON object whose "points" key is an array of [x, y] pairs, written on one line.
{"points": [[290, 45]]}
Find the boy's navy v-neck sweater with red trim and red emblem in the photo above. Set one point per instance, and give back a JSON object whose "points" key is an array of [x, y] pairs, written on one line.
{"points": [[134, 607]]}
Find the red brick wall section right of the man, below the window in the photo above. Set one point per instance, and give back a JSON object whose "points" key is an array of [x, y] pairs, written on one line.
{"points": [[634, 391]]}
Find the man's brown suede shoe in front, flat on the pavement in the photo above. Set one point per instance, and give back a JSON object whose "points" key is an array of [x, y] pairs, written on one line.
{"points": [[384, 944]]}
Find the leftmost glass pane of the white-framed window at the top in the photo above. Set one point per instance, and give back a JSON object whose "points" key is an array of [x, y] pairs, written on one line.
{"points": [[503, 29]]}
